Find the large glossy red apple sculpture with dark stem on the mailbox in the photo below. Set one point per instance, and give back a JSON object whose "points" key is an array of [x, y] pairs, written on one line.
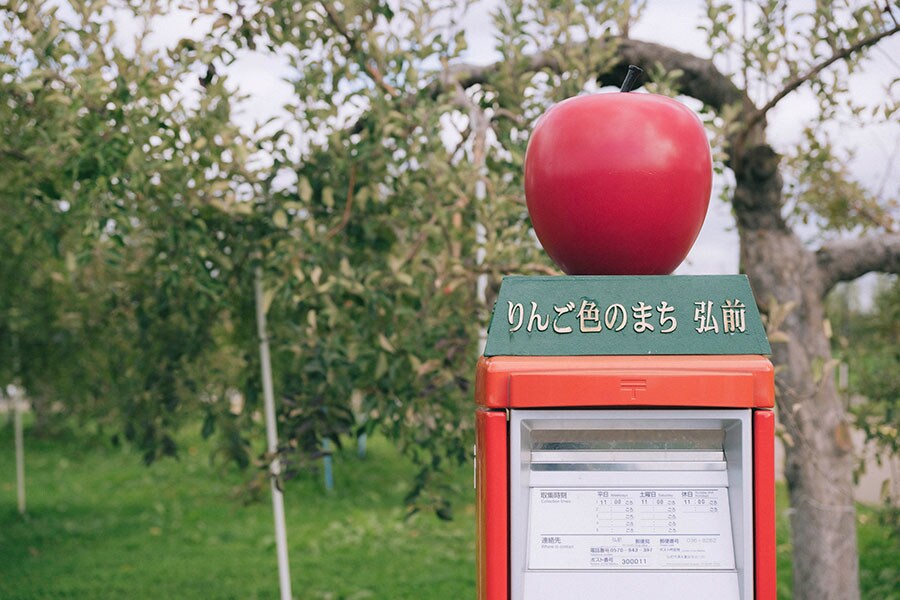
{"points": [[618, 183]]}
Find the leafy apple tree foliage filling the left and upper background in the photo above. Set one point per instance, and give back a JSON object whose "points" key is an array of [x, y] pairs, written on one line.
{"points": [[384, 204]]}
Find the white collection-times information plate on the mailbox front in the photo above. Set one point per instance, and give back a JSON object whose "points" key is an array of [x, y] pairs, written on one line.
{"points": [[616, 528]]}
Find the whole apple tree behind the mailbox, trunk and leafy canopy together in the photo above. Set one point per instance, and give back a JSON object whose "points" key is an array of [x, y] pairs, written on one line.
{"points": [[387, 203]]}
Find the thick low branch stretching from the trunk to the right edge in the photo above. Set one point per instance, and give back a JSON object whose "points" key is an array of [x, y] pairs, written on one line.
{"points": [[845, 260]]}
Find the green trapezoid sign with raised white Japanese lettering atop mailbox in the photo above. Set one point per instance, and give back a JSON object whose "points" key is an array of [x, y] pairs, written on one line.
{"points": [[633, 315]]}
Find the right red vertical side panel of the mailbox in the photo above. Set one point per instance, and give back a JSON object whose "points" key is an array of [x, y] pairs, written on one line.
{"points": [[764, 503]]}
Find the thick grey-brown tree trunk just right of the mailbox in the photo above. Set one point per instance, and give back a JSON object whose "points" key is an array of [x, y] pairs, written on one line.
{"points": [[819, 451]]}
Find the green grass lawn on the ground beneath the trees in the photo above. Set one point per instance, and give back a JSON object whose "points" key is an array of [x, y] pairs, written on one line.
{"points": [[101, 525]]}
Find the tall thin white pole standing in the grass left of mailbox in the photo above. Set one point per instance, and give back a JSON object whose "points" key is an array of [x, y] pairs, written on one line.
{"points": [[284, 575]]}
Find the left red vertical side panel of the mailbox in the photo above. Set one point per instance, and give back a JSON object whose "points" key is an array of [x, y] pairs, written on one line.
{"points": [[492, 516]]}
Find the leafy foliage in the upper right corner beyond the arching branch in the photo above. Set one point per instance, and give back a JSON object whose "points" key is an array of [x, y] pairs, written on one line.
{"points": [[781, 48]]}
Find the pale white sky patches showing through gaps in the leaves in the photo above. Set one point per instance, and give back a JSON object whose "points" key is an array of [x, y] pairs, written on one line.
{"points": [[670, 22]]}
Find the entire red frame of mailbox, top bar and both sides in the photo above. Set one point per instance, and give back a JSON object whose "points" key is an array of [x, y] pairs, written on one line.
{"points": [[504, 382]]}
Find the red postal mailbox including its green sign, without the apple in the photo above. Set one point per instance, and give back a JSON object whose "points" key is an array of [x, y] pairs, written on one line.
{"points": [[624, 441]]}
